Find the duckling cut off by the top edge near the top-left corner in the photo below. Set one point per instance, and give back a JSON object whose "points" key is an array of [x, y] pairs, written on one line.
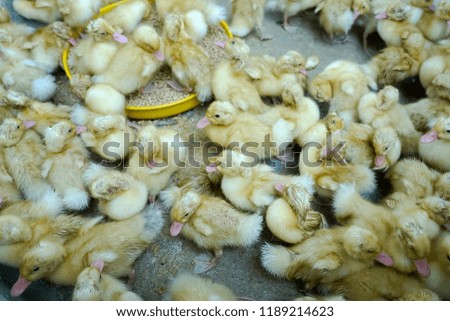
{"points": [[46, 11]]}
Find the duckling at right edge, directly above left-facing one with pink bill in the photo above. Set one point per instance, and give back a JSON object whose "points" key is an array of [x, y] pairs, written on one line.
{"points": [[427, 111]]}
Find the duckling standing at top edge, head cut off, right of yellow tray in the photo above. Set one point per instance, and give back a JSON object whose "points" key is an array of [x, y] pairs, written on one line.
{"points": [[248, 16]]}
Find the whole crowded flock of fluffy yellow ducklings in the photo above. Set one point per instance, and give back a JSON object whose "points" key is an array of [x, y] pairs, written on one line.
{"points": [[395, 249]]}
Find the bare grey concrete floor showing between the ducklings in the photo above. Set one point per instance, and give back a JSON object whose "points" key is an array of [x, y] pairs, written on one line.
{"points": [[240, 269]]}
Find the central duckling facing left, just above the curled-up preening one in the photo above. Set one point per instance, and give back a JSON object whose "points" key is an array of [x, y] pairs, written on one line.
{"points": [[249, 185]]}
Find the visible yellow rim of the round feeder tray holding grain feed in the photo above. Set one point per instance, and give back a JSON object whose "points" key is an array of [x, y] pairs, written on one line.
{"points": [[150, 112]]}
